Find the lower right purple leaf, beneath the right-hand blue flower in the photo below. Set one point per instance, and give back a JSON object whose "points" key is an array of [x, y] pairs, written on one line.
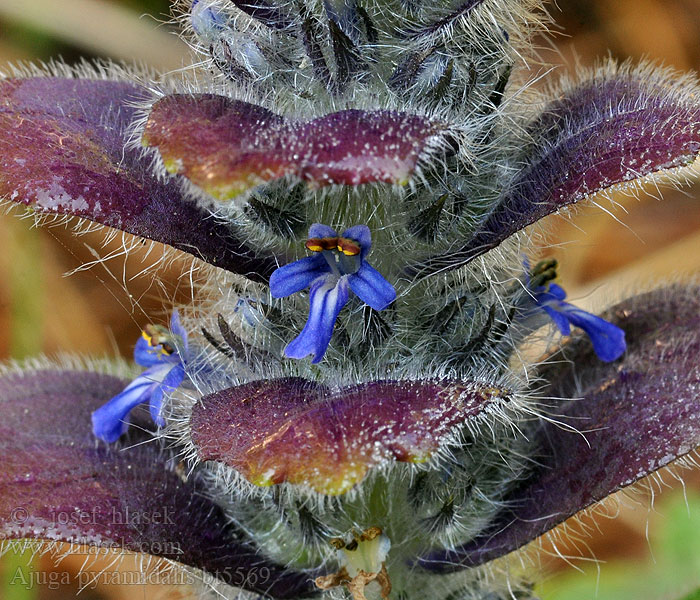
{"points": [[636, 415]]}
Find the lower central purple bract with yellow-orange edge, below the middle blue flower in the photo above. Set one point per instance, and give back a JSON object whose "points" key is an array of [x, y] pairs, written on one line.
{"points": [[301, 432]]}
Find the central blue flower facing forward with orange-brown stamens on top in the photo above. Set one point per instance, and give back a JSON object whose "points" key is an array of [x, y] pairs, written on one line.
{"points": [[338, 263]]}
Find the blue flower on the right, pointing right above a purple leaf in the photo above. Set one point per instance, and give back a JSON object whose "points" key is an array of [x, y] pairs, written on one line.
{"points": [[608, 340]]}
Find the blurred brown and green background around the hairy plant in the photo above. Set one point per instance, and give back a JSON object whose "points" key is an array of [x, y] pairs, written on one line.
{"points": [[640, 555]]}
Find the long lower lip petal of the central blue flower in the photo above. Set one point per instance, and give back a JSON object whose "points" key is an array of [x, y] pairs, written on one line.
{"points": [[327, 297]]}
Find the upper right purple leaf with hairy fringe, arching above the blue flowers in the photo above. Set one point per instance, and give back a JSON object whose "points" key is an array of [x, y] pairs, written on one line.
{"points": [[611, 131]]}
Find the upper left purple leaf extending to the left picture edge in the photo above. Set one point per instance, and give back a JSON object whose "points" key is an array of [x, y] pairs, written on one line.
{"points": [[62, 151]]}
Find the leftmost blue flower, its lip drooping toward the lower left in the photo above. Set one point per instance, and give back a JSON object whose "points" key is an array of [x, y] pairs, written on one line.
{"points": [[156, 349]]}
